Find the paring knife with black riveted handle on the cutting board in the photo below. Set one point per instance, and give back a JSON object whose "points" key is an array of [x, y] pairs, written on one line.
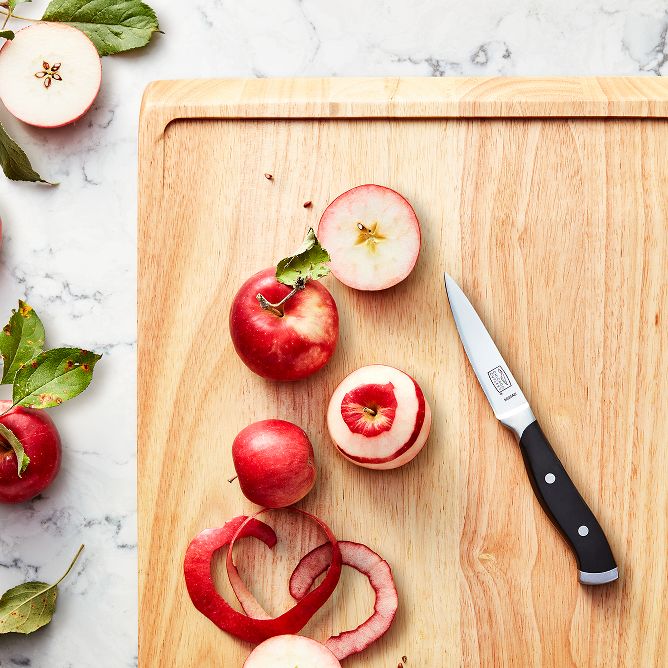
{"points": [[555, 490]]}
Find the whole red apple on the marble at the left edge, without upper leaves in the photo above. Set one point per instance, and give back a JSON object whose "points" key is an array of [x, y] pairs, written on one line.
{"points": [[40, 440]]}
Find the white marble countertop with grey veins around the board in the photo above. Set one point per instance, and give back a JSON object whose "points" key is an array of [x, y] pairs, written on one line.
{"points": [[70, 251]]}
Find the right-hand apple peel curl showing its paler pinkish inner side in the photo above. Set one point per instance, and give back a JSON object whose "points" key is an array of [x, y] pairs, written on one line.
{"points": [[377, 570]]}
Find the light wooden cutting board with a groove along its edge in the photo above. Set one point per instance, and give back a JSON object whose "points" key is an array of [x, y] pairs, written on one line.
{"points": [[547, 199]]}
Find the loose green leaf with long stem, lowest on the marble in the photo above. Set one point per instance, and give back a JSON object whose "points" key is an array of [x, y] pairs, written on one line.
{"points": [[31, 605]]}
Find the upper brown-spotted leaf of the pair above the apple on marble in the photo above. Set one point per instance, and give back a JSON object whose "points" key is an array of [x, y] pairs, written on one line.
{"points": [[21, 339]]}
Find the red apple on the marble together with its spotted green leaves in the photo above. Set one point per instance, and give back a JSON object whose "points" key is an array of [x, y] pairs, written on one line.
{"points": [[30, 450]]}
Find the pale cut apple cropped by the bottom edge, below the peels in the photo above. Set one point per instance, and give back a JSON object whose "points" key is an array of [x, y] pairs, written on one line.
{"points": [[291, 652]]}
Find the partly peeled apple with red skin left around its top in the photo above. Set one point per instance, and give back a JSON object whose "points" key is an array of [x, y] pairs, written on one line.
{"points": [[378, 417]]}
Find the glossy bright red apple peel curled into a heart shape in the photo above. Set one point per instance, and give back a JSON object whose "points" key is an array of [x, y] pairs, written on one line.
{"points": [[203, 593]]}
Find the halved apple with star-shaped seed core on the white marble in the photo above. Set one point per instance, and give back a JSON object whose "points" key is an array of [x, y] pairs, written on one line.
{"points": [[50, 74]]}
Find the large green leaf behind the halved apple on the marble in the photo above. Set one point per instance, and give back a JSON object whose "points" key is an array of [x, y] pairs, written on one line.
{"points": [[112, 25]]}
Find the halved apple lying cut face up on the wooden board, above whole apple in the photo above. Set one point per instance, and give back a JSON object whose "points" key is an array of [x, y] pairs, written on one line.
{"points": [[372, 236]]}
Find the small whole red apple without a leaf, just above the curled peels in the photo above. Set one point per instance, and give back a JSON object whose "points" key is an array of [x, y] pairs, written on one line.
{"points": [[274, 462]]}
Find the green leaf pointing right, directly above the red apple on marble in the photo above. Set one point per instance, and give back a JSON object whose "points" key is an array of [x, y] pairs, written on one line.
{"points": [[53, 377]]}
